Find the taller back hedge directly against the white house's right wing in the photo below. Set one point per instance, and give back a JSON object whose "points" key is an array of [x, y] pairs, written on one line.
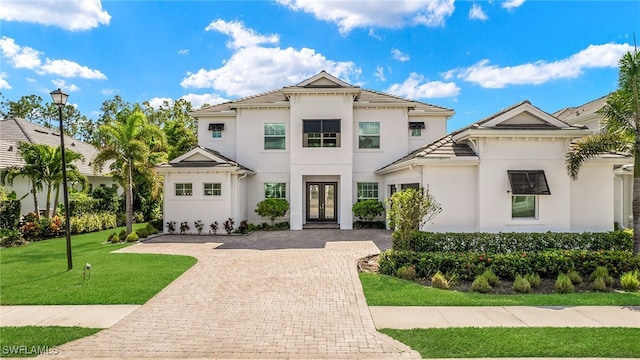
{"points": [[499, 243]]}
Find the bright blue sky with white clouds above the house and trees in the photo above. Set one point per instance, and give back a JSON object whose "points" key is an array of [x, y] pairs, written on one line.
{"points": [[476, 57]]}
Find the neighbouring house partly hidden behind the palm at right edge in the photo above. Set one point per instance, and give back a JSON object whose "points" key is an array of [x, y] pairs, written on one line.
{"points": [[587, 115]]}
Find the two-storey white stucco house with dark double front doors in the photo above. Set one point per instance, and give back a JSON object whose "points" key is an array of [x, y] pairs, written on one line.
{"points": [[324, 144]]}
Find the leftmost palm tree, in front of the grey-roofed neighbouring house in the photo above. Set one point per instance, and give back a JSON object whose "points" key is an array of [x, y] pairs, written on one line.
{"points": [[33, 156]]}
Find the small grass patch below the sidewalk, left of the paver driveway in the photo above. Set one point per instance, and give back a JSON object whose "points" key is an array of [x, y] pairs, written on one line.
{"points": [[30, 341]]}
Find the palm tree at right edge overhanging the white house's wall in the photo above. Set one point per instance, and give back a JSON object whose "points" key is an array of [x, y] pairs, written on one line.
{"points": [[621, 132]]}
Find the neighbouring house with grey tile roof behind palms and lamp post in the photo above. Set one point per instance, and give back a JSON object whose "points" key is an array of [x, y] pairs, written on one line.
{"points": [[14, 131]]}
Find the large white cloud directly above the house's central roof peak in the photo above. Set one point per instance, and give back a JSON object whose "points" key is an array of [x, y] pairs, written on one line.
{"points": [[253, 69]]}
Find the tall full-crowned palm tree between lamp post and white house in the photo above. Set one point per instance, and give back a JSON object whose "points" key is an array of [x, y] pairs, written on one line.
{"points": [[132, 143]]}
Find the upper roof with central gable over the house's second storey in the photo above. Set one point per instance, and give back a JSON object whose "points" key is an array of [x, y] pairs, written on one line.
{"points": [[319, 82]]}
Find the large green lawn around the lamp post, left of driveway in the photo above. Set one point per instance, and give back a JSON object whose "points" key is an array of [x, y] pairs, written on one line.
{"points": [[37, 274]]}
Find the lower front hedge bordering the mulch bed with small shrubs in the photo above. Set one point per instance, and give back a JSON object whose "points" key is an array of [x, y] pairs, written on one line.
{"points": [[468, 265]]}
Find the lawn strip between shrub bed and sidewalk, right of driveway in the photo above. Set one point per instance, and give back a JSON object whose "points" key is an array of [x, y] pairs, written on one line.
{"points": [[382, 290]]}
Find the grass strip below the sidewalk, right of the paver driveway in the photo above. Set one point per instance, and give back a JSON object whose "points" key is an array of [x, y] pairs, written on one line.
{"points": [[521, 342]]}
